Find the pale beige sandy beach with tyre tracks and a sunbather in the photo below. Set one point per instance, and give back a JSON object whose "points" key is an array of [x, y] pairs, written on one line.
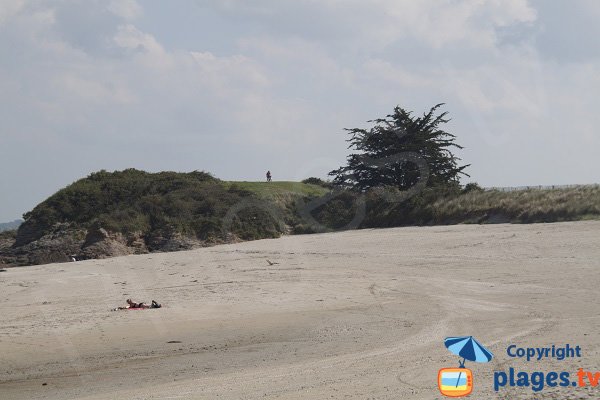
{"points": [[351, 315]]}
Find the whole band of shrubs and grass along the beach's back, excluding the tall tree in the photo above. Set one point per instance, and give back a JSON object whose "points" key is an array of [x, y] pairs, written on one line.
{"points": [[198, 205]]}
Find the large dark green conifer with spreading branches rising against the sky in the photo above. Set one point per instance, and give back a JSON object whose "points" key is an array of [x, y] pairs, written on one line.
{"points": [[401, 150]]}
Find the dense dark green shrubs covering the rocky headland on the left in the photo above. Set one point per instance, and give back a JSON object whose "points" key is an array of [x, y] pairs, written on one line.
{"points": [[192, 204]]}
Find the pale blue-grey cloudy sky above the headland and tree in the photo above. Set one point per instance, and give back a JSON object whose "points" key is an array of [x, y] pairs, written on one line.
{"points": [[238, 87]]}
